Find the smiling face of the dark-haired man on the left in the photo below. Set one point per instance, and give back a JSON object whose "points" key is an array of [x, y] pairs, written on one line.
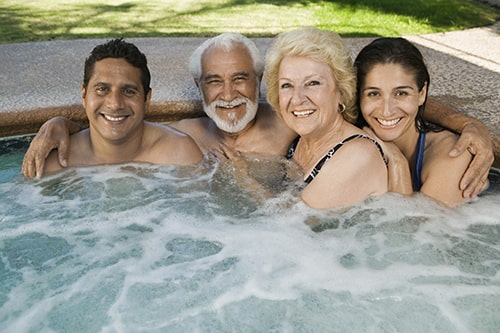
{"points": [[114, 100]]}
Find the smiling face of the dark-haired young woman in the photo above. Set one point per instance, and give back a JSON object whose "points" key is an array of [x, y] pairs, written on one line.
{"points": [[389, 101]]}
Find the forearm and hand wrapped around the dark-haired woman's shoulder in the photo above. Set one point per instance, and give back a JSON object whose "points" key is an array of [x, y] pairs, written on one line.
{"points": [[474, 138]]}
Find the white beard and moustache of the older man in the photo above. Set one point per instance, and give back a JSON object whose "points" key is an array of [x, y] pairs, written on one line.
{"points": [[232, 124]]}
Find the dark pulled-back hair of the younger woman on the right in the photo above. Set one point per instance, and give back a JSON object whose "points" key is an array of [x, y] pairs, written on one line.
{"points": [[394, 51]]}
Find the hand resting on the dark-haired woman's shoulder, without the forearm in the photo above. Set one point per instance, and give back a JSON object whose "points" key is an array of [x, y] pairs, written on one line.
{"points": [[475, 138]]}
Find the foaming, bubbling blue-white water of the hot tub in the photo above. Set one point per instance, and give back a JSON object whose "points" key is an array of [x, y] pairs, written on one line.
{"points": [[189, 249]]}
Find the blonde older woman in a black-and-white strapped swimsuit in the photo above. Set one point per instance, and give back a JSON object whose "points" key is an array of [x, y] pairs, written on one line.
{"points": [[311, 83]]}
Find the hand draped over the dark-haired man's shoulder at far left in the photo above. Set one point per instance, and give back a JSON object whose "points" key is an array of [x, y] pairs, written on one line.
{"points": [[53, 134]]}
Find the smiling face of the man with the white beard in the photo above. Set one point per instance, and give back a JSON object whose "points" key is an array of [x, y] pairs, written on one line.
{"points": [[230, 87]]}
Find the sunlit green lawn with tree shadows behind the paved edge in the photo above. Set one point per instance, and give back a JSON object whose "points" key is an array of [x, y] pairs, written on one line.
{"points": [[22, 21]]}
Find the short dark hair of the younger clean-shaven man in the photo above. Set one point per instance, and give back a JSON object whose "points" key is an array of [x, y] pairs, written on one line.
{"points": [[118, 48]]}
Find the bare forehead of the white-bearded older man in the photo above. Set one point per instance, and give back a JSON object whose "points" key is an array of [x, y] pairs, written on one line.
{"points": [[217, 60]]}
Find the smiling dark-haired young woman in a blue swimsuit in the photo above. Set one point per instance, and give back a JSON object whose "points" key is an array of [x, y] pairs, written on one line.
{"points": [[393, 83]]}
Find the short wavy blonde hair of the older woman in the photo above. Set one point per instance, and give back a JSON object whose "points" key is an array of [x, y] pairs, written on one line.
{"points": [[319, 45]]}
